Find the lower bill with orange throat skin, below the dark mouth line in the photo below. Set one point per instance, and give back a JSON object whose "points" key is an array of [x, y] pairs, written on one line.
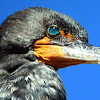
{"points": [[63, 56]]}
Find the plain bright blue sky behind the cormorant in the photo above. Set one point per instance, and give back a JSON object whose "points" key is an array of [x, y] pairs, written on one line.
{"points": [[81, 82]]}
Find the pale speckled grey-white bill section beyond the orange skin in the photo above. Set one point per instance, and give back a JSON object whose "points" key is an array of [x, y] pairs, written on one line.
{"points": [[83, 52]]}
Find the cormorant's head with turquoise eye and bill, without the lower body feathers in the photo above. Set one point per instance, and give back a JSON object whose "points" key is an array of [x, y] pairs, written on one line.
{"points": [[55, 39]]}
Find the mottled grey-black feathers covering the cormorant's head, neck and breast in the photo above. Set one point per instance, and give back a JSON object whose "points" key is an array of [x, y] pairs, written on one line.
{"points": [[22, 77]]}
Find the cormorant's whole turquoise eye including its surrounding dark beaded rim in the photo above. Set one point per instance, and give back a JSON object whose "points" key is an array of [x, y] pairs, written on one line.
{"points": [[53, 31]]}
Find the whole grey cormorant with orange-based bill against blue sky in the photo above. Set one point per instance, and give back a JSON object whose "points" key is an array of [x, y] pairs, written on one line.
{"points": [[34, 43]]}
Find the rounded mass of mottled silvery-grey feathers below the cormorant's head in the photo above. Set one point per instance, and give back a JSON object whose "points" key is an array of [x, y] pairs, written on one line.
{"points": [[32, 81]]}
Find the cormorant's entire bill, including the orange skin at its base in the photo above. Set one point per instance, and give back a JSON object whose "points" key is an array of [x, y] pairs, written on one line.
{"points": [[60, 56]]}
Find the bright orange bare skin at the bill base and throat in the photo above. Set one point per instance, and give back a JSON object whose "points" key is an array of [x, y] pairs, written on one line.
{"points": [[51, 54]]}
